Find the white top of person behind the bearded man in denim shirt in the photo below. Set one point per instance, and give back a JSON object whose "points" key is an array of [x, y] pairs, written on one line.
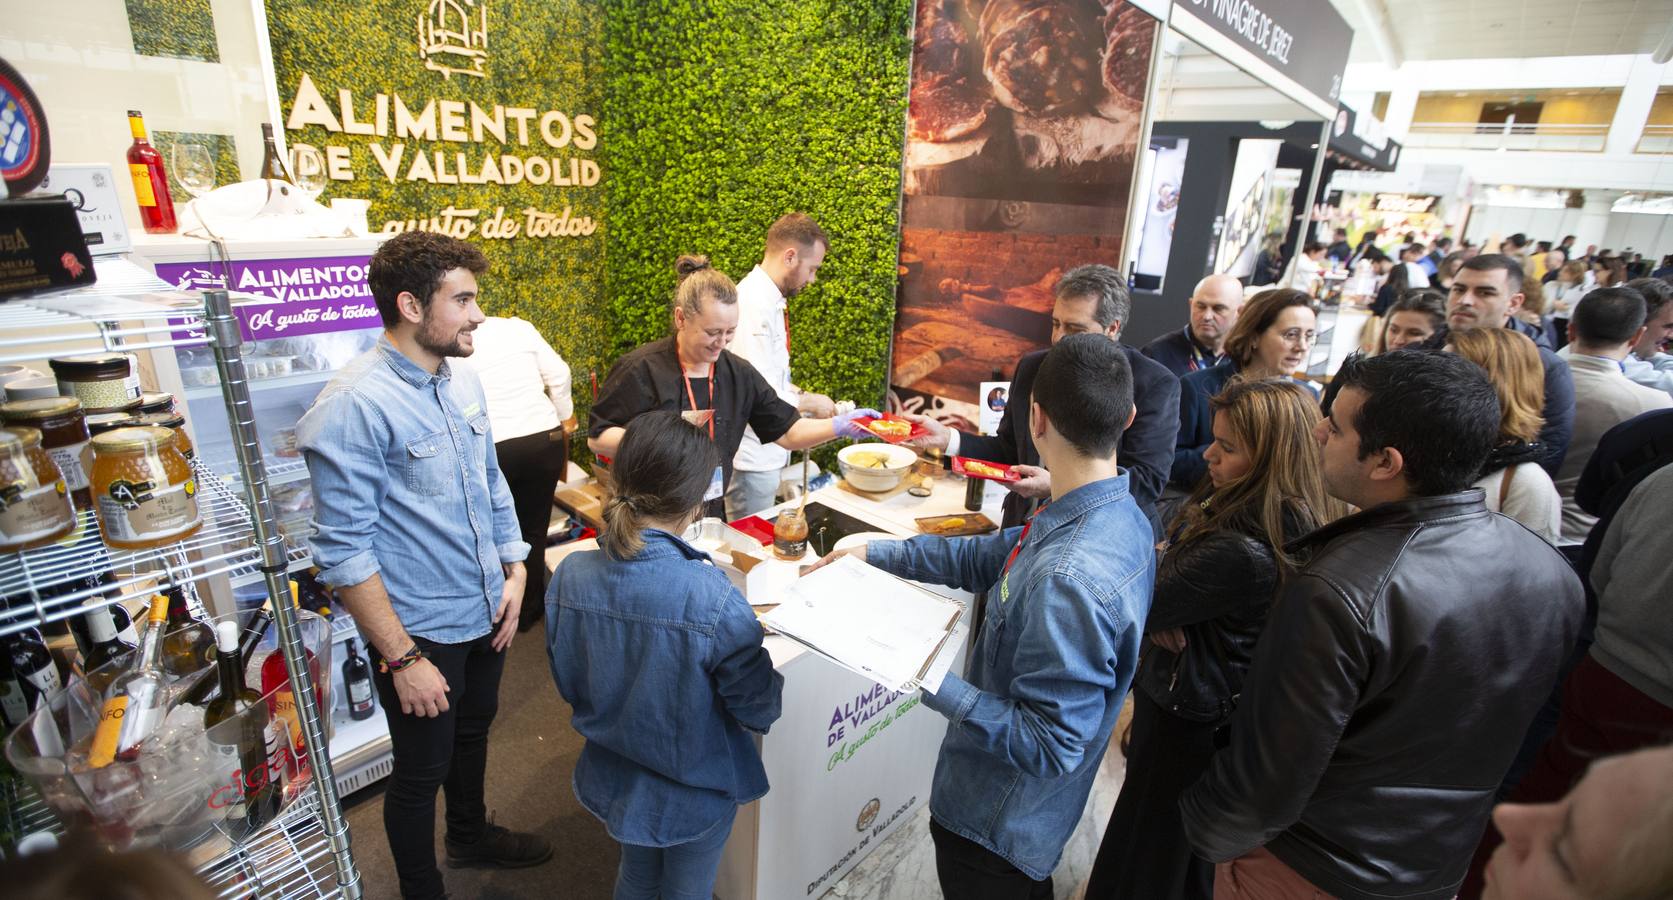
{"points": [[524, 381]]}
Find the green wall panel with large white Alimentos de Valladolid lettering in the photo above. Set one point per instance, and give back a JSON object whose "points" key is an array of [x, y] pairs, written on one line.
{"points": [[469, 118]]}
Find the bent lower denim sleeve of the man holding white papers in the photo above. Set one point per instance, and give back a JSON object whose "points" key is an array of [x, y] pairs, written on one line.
{"points": [[1055, 707]]}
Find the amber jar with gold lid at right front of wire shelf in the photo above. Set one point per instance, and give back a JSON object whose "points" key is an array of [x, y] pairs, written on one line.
{"points": [[143, 489]]}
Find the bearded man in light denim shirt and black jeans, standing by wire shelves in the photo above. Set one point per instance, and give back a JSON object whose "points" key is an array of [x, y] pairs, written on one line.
{"points": [[417, 533]]}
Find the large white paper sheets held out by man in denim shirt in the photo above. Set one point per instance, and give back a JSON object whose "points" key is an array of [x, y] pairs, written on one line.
{"points": [[872, 623]]}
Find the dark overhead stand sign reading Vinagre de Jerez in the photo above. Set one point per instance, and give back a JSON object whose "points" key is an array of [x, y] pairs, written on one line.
{"points": [[1299, 48]]}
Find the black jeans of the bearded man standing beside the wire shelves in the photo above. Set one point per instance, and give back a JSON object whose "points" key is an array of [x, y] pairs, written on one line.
{"points": [[448, 752]]}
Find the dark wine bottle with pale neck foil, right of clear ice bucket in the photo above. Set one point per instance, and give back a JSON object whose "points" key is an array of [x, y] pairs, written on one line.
{"points": [[243, 750]]}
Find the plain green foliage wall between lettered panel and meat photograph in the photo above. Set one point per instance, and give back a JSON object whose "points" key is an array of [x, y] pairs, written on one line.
{"points": [[722, 116]]}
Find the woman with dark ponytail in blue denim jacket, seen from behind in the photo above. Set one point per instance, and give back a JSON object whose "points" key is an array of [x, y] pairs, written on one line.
{"points": [[662, 660]]}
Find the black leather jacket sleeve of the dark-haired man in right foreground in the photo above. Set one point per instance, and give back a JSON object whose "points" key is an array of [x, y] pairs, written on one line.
{"points": [[1306, 675]]}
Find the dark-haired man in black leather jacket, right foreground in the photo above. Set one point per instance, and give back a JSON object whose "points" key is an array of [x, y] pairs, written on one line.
{"points": [[1399, 668]]}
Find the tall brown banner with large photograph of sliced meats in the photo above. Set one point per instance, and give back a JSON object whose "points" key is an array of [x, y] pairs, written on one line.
{"points": [[1021, 145]]}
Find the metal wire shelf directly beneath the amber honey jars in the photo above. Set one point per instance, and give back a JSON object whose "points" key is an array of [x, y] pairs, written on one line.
{"points": [[53, 583]]}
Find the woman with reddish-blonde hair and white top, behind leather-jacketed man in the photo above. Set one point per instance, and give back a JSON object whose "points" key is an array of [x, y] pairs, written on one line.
{"points": [[1513, 479]]}
